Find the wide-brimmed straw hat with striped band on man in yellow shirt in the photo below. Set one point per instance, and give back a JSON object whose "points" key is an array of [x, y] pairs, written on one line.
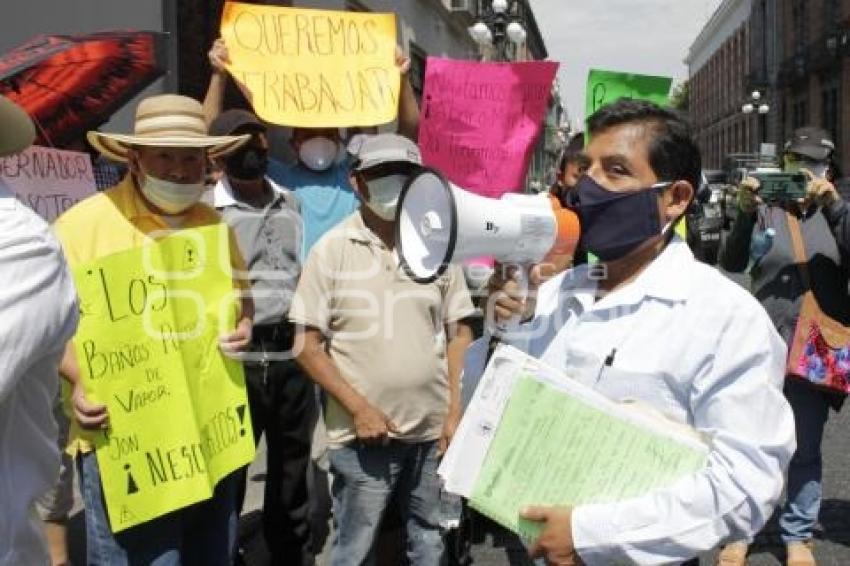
{"points": [[167, 120]]}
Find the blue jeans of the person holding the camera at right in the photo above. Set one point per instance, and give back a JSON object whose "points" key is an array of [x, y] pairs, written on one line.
{"points": [[800, 513]]}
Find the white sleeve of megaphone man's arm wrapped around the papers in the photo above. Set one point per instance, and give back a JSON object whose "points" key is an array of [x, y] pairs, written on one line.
{"points": [[737, 401]]}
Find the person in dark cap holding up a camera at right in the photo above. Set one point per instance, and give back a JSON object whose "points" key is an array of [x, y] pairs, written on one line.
{"points": [[762, 242]]}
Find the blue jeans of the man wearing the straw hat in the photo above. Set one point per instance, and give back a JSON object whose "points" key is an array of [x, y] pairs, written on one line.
{"points": [[201, 534]]}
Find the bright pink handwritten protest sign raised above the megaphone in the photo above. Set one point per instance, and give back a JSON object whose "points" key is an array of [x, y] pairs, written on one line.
{"points": [[480, 121]]}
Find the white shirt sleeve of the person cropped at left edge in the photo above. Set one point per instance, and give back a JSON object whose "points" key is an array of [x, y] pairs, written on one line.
{"points": [[38, 304]]}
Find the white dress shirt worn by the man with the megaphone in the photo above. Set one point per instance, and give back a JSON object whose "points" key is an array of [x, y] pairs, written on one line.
{"points": [[699, 348]]}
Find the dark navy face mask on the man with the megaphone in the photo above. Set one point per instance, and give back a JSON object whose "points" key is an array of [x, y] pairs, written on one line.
{"points": [[613, 223]]}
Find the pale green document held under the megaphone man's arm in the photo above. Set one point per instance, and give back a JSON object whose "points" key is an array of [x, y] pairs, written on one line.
{"points": [[552, 448]]}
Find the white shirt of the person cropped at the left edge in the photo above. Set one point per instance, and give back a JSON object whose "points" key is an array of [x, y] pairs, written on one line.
{"points": [[38, 315]]}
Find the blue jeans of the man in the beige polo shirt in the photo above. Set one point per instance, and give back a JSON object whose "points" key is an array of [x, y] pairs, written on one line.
{"points": [[364, 479]]}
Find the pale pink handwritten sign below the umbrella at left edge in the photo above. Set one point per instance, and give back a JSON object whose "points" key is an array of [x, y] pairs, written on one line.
{"points": [[49, 181]]}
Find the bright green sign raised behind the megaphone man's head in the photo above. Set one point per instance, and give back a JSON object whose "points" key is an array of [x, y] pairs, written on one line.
{"points": [[605, 87]]}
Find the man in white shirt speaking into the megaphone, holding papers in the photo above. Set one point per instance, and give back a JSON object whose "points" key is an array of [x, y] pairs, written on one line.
{"points": [[650, 323]]}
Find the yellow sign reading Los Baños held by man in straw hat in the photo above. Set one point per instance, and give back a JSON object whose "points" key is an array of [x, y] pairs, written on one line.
{"points": [[147, 347]]}
